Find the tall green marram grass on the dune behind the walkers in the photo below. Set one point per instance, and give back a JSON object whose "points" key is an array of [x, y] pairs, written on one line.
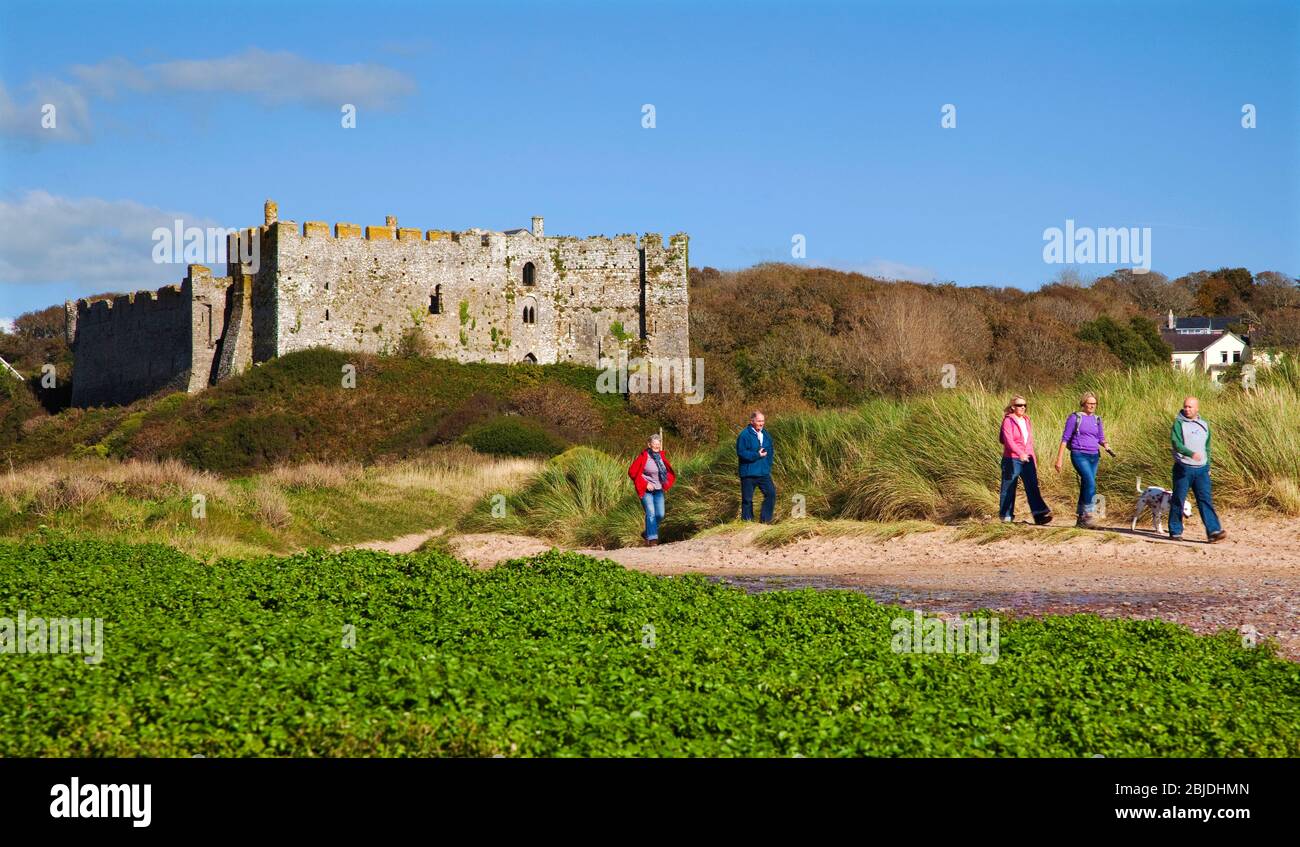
{"points": [[937, 458]]}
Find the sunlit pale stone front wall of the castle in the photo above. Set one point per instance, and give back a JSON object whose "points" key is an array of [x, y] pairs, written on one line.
{"points": [[466, 293]]}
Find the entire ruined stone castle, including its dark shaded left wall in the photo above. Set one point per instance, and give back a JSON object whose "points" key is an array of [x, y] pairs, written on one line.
{"points": [[478, 296]]}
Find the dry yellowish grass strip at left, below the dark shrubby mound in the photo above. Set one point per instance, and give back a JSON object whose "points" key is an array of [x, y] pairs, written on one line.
{"points": [[289, 507]]}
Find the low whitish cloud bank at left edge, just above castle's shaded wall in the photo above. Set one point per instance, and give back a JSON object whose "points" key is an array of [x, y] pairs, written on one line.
{"points": [[85, 244]]}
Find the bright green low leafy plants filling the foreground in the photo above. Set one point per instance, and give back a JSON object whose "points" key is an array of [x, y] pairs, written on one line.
{"points": [[564, 655]]}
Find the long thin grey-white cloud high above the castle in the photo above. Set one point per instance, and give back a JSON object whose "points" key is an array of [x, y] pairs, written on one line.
{"points": [[270, 77]]}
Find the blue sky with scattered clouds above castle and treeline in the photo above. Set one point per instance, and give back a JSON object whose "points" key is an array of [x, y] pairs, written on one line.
{"points": [[772, 120]]}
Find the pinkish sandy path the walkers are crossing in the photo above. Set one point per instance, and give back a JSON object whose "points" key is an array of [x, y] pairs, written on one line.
{"points": [[1253, 580]]}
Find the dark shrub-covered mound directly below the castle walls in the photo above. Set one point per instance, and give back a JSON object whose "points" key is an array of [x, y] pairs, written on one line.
{"points": [[296, 410]]}
